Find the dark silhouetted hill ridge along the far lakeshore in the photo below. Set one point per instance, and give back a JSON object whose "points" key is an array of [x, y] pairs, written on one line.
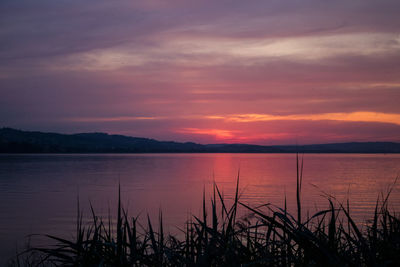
{"points": [[17, 141]]}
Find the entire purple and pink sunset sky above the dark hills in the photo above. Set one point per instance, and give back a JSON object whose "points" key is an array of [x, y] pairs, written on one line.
{"points": [[258, 72]]}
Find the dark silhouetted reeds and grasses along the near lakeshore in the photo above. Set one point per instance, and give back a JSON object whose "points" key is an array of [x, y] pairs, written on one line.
{"points": [[267, 236]]}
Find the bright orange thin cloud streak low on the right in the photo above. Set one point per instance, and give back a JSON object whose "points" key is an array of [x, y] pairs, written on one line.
{"points": [[361, 116]]}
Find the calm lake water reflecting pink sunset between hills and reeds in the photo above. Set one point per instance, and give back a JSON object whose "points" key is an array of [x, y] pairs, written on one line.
{"points": [[38, 193]]}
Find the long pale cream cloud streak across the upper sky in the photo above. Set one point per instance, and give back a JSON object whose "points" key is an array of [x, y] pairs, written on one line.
{"points": [[216, 51]]}
